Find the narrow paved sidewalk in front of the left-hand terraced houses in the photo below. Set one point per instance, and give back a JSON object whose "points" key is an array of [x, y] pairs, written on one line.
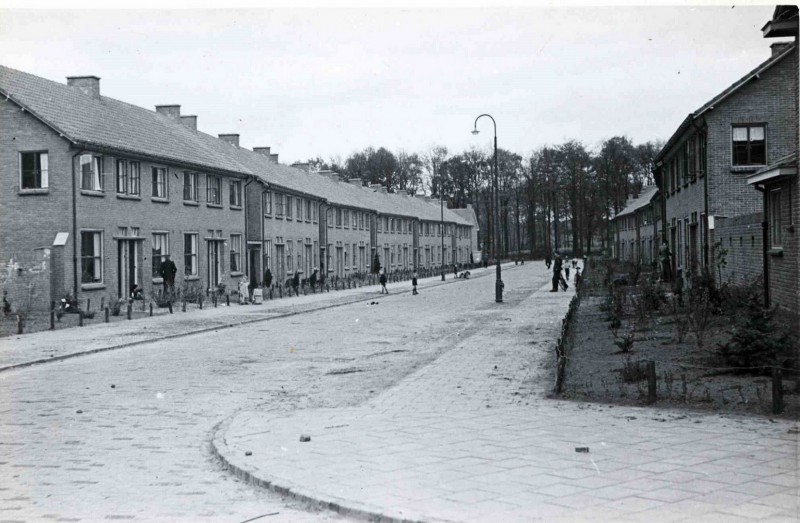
{"points": [[49, 346]]}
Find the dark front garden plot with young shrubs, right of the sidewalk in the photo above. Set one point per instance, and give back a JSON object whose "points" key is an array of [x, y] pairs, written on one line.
{"points": [[607, 359]]}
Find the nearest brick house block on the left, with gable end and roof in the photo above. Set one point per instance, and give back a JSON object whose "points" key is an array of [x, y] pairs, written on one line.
{"points": [[107, 191]]}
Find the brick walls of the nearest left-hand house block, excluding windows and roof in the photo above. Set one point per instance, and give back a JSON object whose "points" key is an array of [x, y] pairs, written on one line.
{"points": [[36, 216]]}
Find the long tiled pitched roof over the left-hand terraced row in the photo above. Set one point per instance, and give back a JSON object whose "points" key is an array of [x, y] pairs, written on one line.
{"points": [[103, 122]]}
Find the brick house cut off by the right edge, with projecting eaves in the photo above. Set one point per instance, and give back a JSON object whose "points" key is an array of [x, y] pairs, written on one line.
{"points": [[780, 195]]}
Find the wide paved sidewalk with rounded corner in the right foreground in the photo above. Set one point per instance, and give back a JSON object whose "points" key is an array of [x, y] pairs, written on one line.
{"points": [[470, 437]]}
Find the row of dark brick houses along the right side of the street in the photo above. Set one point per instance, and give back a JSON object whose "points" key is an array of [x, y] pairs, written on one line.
{"points": [[727, 195]]}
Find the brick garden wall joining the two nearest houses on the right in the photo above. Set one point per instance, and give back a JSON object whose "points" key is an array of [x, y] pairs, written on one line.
{"points": [[741, 238]]}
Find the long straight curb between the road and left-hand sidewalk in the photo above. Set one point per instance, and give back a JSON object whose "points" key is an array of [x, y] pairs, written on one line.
{"points": [[203, 330]]}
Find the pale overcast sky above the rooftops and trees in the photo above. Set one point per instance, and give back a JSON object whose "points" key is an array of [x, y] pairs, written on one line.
{"points": [[328, 82]]}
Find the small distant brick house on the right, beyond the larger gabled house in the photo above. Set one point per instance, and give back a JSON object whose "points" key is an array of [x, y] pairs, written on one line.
{"points": [[637, 228]]}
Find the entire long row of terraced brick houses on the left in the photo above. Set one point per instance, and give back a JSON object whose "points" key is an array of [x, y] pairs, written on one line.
{"points": [[97, 194]]}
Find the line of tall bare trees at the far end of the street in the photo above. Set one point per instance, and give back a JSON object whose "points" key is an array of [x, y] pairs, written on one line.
{"points": [[559, 197]]}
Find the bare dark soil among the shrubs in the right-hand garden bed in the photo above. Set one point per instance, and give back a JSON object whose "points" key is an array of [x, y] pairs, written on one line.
{"points": [[687, 378]]}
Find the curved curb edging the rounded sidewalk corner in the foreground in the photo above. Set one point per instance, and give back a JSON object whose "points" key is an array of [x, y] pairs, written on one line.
{"points": [[291, 490]]}
